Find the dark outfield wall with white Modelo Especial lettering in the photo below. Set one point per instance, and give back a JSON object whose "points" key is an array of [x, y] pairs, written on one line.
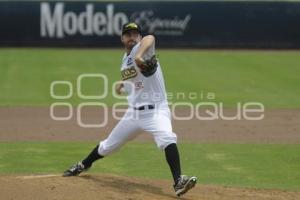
{"points": [[175, 24]]}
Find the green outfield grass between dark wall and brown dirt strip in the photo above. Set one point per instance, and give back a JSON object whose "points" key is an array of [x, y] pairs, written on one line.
{"points": [[270, 77]]}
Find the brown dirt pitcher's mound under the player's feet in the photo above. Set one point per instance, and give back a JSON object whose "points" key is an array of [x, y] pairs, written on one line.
{"points": [[113, 187]]}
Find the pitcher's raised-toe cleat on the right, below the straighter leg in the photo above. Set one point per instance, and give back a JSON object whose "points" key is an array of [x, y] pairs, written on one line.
{"points": [[184, 184]]}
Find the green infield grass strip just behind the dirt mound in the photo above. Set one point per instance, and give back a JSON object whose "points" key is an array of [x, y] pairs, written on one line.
{"points": [[244, 165]]}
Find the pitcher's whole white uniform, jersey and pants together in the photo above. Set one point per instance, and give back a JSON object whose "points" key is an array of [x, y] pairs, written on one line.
{"points": [[148, 107]]}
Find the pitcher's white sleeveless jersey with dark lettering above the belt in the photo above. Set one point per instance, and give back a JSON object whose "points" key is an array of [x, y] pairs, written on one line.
{"points": [[142, 90]]}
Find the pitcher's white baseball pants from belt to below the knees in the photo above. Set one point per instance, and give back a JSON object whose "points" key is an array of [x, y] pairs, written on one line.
{"points": [[154, 121]]}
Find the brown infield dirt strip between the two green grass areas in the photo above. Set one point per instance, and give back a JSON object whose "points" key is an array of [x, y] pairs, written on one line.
{"points": [[35, 124]]}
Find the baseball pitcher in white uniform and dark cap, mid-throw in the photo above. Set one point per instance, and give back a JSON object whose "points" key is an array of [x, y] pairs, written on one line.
{"points": [[148, 110]]}
